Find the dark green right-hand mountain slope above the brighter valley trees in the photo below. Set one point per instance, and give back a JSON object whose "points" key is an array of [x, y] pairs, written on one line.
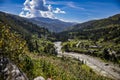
{"points": [[107, 29]]}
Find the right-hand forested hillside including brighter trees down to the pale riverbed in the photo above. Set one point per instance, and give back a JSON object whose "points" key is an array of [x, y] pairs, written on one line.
{"points": [[100, 38]]}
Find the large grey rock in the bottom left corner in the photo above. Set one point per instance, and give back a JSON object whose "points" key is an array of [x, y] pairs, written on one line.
{"points": [[9, 71]]}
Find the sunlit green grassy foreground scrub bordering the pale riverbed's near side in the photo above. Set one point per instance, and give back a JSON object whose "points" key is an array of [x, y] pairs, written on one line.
{"points": [[61, 68]]}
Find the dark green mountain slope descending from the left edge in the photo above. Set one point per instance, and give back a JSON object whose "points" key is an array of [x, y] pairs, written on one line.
{"points": [[21, 25]]}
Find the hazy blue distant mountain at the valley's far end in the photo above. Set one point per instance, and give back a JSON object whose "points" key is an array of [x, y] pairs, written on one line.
{"points": [[53, 25]]}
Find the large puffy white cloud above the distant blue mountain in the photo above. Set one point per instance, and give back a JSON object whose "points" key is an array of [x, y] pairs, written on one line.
{"points": [[39, 8]]}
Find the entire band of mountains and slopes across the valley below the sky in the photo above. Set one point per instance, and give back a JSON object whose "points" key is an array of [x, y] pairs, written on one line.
{"points": [[107, 28]]}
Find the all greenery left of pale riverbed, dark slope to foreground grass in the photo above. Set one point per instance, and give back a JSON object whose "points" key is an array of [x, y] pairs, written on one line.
{"points": [[31, 49]]}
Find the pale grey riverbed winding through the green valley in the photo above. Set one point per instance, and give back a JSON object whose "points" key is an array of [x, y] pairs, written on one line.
{"points": [[100, 67]]}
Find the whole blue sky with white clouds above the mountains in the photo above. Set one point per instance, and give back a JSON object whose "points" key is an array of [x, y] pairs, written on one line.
{"points": [[67, 10]]}
